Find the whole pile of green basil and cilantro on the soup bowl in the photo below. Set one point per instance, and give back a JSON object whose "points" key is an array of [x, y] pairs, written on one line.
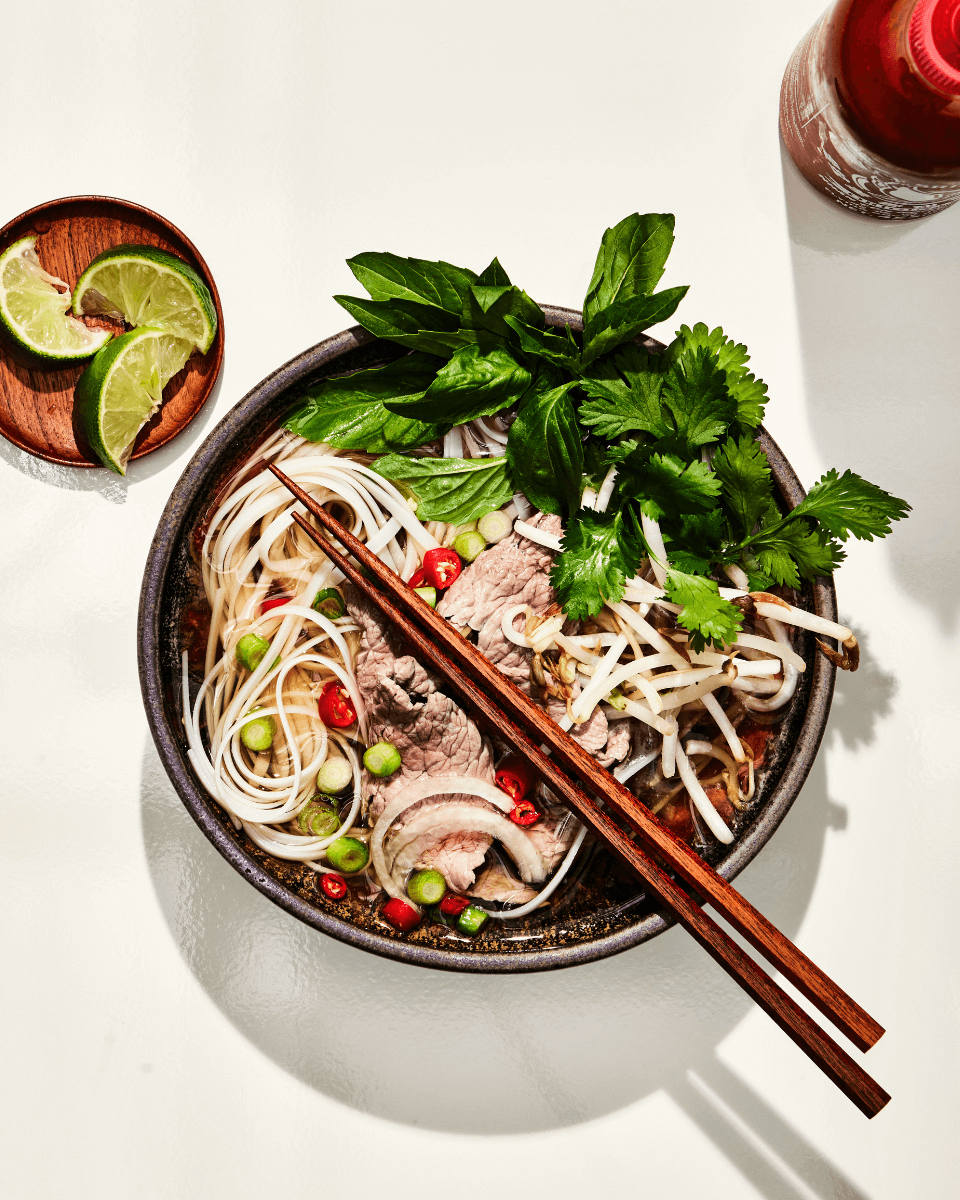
{"points": [[679, 427]]}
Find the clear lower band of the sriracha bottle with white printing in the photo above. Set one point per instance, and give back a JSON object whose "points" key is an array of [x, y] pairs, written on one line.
{"points": [[831, 157]]}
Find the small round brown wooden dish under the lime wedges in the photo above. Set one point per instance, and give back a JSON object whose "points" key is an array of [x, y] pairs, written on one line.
{"points": [[37, 404]]}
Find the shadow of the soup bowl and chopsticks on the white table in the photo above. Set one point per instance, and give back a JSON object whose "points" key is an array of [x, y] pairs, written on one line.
{"points": [[495, 1054]]}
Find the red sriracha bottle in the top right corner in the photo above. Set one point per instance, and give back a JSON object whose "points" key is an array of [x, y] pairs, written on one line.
{"points": [[871, 106]]}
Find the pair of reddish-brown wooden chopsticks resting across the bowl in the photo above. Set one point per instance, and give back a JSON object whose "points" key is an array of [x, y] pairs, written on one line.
{"points": [[566, 766]]}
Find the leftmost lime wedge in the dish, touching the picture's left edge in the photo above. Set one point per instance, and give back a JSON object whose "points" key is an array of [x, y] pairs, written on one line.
{"points": [[34, 311]]}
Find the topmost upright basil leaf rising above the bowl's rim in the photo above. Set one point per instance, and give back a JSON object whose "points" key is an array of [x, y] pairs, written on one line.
{"points": [[631, 261]]}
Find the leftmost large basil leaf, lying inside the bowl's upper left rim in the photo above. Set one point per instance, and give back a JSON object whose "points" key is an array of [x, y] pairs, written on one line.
{"points": [[351, 413]]}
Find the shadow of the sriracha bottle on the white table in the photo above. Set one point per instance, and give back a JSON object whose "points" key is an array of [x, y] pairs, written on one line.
{"points": [[878, 307]]}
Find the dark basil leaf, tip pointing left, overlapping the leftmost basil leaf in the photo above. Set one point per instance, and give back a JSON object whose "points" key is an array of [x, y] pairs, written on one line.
{"points": [[472, 385]]}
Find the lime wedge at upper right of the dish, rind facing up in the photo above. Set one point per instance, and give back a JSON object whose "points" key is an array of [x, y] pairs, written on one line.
{"points": [[146, 286]]}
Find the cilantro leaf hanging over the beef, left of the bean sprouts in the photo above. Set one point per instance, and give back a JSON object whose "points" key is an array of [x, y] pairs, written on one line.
{"points": [[599, 553]]}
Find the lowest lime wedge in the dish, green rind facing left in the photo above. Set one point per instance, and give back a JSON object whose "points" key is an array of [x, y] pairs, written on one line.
{"points": [[123, 388]]}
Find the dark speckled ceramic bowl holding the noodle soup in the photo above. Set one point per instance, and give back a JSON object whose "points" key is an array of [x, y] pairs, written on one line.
{"points": [[608, 911]]}
